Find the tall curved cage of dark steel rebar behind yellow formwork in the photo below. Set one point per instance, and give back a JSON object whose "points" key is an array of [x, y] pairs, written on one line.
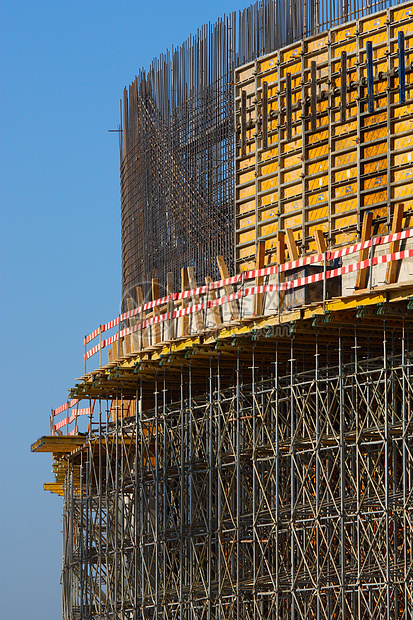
{"points": [[178, 134]]}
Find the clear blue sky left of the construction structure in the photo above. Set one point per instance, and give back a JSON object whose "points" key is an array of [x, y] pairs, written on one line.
{"points": [[63, 68]]}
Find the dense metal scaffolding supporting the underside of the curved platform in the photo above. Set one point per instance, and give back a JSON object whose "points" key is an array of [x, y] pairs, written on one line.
{"points": [[268, 478]]}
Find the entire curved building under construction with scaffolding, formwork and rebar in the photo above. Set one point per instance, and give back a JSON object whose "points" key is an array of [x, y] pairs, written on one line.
{"points": [[240, 444]]}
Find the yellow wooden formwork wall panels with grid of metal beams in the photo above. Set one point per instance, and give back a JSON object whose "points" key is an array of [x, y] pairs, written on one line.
{"points": [[324, 134]]}
